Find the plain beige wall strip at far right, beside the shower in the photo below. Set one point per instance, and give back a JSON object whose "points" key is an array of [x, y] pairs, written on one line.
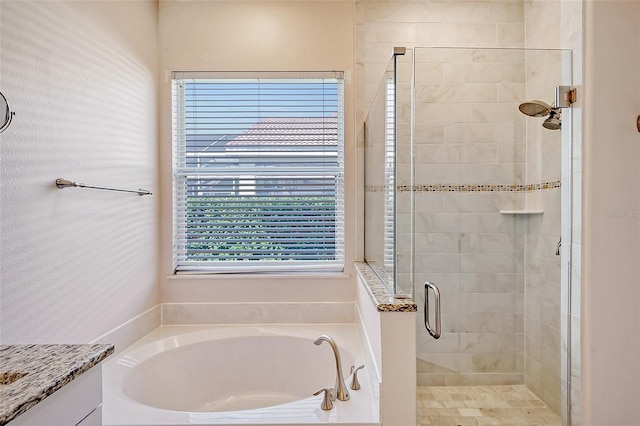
{"points": [[611, 214]]}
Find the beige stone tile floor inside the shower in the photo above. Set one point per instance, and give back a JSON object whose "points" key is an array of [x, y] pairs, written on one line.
{"points": [[482, 405]]}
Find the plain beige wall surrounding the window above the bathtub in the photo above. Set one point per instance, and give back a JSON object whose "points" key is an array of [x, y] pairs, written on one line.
{"points": [[257, 36]]}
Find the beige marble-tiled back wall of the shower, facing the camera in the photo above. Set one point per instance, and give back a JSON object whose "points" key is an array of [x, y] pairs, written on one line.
{"points": [[469, 133]]}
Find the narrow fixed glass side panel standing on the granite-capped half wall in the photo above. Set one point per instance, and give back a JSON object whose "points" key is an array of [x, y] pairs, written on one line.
{"points": [[388, 144]]}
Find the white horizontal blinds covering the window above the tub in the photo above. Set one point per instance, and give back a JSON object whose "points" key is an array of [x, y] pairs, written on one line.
{"points": [[258, 172]]}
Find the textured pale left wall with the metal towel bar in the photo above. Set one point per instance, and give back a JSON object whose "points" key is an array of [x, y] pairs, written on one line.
{"points": [[82, 79]]}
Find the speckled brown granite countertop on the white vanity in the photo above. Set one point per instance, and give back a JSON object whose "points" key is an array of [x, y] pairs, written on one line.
{"points": [[30, 373]]}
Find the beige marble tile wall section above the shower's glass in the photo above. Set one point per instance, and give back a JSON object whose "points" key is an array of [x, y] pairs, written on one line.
{"points": [[381, 25]]}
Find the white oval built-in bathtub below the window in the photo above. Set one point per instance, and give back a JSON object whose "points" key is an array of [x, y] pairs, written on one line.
{"points": [[236, 375]]}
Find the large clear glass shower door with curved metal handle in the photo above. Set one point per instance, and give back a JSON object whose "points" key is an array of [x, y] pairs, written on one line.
{"points": [[487, 210]]}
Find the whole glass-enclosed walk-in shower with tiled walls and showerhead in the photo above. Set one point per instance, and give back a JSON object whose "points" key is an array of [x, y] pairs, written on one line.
{"points": [[463, 189]]}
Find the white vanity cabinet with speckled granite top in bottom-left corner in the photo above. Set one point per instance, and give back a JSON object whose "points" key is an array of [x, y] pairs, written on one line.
{"points": [[52, 384]]}
